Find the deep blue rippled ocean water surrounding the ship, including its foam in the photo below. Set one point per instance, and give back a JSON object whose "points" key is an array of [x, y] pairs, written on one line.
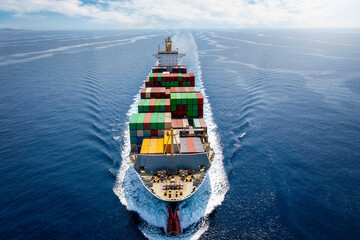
{"points": [[283, 109]]}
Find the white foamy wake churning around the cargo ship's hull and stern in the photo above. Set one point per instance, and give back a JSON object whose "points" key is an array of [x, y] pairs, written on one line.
{"points": [[193, 212]]}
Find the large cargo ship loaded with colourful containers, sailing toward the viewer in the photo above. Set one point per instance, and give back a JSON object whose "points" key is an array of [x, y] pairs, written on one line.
{"points": [[170, 151]]}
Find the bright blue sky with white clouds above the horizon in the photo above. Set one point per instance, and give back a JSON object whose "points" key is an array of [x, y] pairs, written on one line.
{"points": [[175, 14]]}
